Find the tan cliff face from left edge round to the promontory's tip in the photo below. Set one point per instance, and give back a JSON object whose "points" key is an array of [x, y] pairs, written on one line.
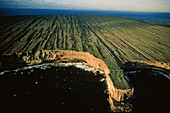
{"points": [[58, 56]]}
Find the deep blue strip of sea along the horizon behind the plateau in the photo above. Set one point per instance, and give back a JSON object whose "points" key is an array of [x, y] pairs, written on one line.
{"points": [[13, 12]]}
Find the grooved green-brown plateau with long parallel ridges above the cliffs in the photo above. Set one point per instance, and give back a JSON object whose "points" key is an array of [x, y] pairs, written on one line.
{"points": [[115, 40]]}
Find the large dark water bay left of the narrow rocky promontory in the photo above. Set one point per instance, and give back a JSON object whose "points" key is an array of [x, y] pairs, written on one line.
{"points": [[48, 88]]}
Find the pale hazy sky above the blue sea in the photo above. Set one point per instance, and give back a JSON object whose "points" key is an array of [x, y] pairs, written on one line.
{"points": [[120, 5]]}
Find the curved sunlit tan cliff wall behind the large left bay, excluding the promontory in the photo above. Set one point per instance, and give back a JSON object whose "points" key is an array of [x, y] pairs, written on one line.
{"points": [[45, 56]]}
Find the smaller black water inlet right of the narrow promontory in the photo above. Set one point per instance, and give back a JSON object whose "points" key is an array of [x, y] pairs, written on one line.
{"points": [[151, 90]]}
